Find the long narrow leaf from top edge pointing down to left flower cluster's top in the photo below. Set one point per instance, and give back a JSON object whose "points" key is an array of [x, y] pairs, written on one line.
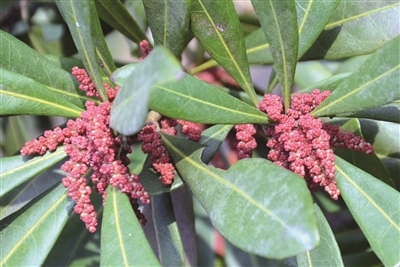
{"points": [[78, 16]]}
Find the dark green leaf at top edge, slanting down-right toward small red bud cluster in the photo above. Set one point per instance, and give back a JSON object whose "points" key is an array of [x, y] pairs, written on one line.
{"points": [[118, 17]]}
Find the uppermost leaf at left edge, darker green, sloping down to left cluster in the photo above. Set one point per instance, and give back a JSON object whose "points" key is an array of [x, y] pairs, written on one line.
{"points": [[38, 68]]}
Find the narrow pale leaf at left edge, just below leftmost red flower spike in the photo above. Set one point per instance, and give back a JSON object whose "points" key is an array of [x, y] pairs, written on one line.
{"points": [[17, 169]]}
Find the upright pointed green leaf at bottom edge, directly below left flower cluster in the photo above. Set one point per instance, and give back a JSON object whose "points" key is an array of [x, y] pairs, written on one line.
{"points": [[123, 242]]}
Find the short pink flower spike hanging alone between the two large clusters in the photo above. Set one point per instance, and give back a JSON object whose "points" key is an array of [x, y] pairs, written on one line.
{"points": [[246, 144]]}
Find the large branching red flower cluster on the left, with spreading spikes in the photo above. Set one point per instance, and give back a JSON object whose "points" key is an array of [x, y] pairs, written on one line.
{"points": [[93, 148]]}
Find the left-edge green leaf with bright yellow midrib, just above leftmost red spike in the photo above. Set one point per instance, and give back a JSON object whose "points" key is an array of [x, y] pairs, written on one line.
{"points": [[22, 95]]}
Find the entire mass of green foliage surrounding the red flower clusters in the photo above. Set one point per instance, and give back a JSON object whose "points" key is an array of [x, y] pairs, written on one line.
{"points": [[265, 213]]}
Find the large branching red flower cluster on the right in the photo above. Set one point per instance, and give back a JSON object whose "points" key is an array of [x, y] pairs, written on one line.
{"points": [[301, 143]]}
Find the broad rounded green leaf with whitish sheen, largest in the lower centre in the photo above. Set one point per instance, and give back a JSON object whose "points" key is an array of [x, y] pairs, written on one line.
{"points": [[250, 192]]}
